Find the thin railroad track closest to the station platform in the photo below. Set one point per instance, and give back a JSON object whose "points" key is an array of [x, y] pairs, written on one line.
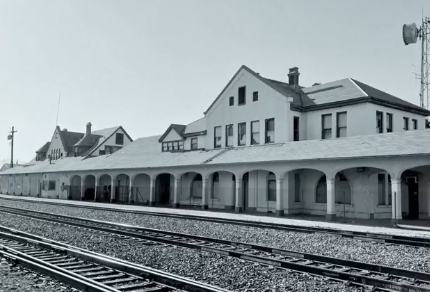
{"points": [[377, 237]]}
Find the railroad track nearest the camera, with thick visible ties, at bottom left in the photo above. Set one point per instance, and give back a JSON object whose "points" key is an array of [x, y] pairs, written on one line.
{"points": [[89, 271]]}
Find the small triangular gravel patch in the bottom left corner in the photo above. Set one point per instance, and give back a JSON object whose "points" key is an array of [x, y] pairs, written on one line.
{"points": [[19, 279]]}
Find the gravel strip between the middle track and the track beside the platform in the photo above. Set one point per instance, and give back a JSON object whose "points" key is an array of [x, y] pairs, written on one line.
{"points": [[404, 257]]}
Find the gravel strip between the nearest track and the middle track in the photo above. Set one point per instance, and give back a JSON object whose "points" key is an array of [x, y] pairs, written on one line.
{"points": [[229, 273]]}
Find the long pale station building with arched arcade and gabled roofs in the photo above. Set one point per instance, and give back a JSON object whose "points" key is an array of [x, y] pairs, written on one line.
{"points": [[341, 148]]}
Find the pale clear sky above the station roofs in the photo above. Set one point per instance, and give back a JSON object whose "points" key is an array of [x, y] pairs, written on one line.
{"points": [[147, 64]]}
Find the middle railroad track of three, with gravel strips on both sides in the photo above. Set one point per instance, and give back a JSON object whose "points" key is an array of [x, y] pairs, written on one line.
{"points": [[366, 274]]}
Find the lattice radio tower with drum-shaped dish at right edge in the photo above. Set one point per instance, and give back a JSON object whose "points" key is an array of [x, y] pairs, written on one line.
{"points": [[410, 35]]}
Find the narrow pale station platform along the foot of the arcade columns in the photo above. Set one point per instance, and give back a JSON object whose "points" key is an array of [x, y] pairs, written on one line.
{"points": [[412, 228]]}
